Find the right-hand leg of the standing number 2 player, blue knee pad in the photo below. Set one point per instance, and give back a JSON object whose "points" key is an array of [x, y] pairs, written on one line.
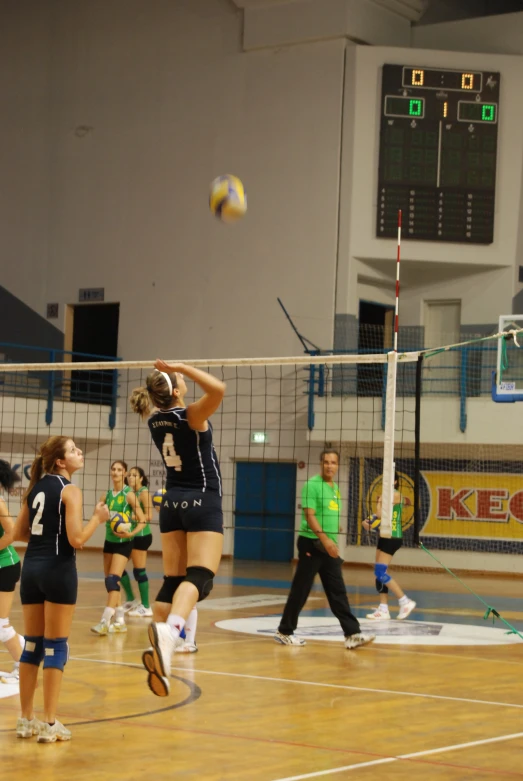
{"points": [[58, 620]]}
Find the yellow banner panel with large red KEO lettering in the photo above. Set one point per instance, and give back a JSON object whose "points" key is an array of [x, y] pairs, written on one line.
{"points": [[474, 505]]}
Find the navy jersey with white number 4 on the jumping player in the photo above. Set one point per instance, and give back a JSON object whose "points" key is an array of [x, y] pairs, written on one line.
{"points": [[189, 456]]}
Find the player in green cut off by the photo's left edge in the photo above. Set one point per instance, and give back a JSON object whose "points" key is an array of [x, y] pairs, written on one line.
{"points": [[9, 575]]}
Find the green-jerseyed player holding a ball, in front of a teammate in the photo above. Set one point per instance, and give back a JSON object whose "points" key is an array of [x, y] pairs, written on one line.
{"points": [[117, 548]]}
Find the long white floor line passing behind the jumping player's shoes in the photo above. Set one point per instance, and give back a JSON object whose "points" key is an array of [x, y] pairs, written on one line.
{"points": [[315, 683]]}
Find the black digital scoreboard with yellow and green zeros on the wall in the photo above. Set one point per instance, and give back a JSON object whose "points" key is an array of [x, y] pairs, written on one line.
{"points": [[438, 149]]}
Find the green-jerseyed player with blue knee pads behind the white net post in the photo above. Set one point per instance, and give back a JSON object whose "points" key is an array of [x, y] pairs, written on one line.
{"points": [[385, 550]]}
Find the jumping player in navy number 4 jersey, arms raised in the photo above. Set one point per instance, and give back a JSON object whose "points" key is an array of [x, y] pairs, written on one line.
{"points": [[191, 519]]}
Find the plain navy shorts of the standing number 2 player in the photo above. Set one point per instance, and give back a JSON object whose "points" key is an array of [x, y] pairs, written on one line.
{"points": [[49, 580]]}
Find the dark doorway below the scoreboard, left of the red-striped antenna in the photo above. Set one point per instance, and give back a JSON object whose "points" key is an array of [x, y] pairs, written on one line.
{"points": [[374, 336]]}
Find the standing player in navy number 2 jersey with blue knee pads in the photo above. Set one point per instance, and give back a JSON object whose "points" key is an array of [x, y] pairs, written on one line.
{"points": [[51, 522]]}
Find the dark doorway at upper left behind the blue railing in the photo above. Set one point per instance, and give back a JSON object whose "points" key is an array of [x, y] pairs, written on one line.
{"points": [[95, 332]]}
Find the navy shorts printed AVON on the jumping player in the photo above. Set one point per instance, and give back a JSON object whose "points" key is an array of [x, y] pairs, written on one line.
{"points": [[191, 511]]}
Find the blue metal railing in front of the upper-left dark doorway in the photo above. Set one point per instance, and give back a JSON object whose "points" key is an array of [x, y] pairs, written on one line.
{"points": [[85, 387]]}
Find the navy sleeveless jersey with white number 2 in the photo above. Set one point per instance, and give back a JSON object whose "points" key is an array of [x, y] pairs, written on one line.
{"points": [[48, 537]]}
